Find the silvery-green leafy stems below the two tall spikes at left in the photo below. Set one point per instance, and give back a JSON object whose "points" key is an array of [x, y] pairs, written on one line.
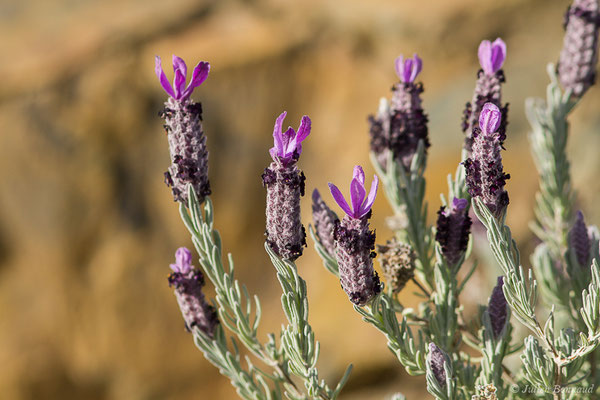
{"points": [[297, 352]]}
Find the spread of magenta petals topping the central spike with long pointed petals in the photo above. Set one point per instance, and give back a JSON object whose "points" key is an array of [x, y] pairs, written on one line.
{"points": [[361, 204]]}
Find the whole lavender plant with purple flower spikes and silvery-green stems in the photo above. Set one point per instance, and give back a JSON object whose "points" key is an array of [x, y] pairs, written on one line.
{"points": [[460, 356]]}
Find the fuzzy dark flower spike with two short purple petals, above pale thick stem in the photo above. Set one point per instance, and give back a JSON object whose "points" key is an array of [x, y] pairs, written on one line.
{"points": [[400, 127]]}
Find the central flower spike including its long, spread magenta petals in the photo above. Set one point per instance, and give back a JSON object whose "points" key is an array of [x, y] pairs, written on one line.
{"points": [[354, 241]]}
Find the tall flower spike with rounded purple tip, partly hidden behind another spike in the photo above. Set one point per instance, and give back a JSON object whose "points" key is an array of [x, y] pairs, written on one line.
{"points": [[488, 89]]}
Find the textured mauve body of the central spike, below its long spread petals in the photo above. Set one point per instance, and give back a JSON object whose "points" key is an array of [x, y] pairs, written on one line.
{"points": [[354, 243]]}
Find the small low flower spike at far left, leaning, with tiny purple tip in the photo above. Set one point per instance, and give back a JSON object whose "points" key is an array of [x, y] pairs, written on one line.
{"points": [[188, 283]]}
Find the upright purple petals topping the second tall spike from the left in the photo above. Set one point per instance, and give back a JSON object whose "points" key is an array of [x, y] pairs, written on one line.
{"points": [[288, 144]]}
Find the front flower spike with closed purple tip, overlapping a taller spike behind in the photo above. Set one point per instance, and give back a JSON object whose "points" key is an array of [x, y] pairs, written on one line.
{"points": [[485, 176]]}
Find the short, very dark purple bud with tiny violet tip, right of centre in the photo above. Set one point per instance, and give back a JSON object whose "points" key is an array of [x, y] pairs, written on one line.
{"points": [[453, 228]]}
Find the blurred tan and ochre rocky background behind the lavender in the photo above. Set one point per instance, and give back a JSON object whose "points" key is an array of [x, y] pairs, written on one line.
{"points": [[88, 228]]}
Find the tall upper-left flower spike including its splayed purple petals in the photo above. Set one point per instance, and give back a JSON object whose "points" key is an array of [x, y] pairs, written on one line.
{"points": [[183, 123]]}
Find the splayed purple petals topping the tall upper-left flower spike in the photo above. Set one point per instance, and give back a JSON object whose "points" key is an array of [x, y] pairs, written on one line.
{"points": [[178, 91]]}
